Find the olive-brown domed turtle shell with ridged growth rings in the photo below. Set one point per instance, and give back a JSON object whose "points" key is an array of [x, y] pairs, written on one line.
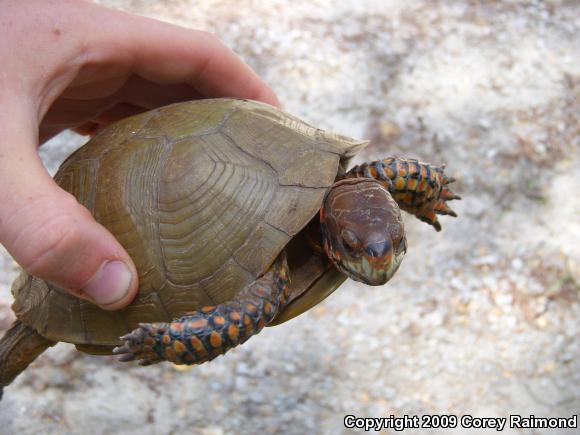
{"points": [[203, 195]]}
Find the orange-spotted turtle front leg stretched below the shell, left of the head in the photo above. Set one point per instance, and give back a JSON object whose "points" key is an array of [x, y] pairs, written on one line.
{"points": [[211, 331]]}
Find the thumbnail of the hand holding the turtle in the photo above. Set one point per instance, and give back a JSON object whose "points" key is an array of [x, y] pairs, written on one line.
{"points": [[110, 284]]}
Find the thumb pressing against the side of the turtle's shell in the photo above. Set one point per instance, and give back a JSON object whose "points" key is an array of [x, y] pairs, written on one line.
{"points": [[52, 236]]}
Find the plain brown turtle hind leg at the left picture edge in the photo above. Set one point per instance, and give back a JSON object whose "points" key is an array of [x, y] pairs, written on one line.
{"points": [[18, 348]]}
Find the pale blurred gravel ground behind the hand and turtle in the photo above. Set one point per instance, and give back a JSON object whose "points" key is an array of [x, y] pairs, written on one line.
{"points": [[481, 319]]}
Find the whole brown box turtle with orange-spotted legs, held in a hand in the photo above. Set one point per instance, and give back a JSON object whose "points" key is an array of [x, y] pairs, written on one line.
{"points": [[237, 216]]}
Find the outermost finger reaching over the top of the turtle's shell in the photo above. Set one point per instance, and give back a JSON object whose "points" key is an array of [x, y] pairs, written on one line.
{"points": [[179, 55]]}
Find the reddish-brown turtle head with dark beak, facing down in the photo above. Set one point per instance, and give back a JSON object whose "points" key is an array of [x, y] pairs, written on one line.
{"points": [[362, 230]]}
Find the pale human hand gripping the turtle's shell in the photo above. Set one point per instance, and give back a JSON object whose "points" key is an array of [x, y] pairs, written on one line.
{"points": [[76, 65]]}
